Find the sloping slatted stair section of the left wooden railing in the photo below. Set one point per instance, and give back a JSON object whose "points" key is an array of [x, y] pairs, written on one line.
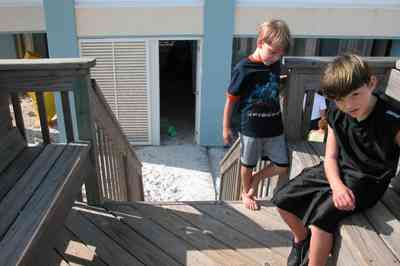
{"points": [[118, 168]]}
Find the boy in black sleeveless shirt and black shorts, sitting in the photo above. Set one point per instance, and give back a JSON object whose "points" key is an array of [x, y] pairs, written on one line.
{"points": [[360, 160]]}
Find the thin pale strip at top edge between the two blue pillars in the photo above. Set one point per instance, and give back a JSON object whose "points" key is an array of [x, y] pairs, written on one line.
{"points": [[139, 3]]}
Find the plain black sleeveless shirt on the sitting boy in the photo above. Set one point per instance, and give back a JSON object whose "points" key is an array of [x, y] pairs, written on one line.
{"points": [[367, 149]]}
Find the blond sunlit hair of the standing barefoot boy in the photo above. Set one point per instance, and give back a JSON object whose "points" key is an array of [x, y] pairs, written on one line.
{"points": [[275, 32]]}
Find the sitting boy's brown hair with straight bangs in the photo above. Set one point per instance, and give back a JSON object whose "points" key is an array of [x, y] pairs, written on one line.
{"points": [[344, 75]]}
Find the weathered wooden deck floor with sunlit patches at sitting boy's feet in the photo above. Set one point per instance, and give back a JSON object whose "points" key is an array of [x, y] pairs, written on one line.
{"points": [[199, 233]]}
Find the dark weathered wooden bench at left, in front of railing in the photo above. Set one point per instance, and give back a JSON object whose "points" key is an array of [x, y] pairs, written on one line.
{"points": [[38, 185]]}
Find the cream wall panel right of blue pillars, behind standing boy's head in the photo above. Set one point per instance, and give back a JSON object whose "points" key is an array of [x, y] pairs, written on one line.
{"points": [[352, 22]]}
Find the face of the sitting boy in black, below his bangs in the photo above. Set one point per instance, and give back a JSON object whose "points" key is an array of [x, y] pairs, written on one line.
{"points": [[358, 103]]}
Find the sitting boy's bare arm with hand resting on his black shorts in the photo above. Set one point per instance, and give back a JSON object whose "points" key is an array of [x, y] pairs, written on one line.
{"points": [[343, 197]]}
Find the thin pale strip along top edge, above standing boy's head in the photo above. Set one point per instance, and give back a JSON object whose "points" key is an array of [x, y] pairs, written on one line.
{"points": [[382, 4]]}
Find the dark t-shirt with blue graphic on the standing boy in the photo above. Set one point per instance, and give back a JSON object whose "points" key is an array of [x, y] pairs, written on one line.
{"points": [[259, 108]]}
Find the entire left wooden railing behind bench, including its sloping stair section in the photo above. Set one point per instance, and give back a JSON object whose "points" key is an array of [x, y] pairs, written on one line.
{"points": [[114, 170]]}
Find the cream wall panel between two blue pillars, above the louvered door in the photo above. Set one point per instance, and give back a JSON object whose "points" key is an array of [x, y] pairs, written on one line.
{"points": [[139, 21]]}
